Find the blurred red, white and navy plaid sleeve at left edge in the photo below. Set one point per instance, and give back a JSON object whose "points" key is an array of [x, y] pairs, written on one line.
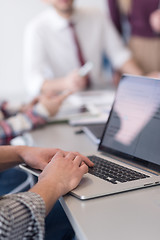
{"points": [[22, 122]]}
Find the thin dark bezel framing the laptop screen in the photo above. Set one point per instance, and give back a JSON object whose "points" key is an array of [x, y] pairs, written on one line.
{"points": [[122, 155]]}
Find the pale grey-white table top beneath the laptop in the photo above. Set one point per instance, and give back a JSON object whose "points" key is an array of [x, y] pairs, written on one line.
{"points": [[133, 215]]}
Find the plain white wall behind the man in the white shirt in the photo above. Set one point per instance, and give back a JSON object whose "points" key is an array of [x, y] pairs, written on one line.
{"points": [[14, 15]]}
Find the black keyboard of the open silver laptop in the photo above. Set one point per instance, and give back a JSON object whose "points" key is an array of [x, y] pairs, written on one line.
{"points": [[112, 172]]}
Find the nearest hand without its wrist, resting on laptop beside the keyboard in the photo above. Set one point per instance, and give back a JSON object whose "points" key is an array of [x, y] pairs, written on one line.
{"points": [[65, 170]]}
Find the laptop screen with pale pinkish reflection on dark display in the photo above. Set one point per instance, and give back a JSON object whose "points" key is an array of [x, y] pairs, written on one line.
{"points": [[133, 128]]}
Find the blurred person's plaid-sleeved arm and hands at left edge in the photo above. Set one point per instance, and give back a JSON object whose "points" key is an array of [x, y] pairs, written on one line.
{"points": [[16, 120]]}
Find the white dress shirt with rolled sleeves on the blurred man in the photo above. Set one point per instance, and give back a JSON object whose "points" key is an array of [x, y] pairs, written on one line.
{"points": [[50, 51]]}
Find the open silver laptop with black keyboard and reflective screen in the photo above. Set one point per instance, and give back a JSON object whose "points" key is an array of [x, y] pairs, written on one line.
{"points": [[128, 155]]}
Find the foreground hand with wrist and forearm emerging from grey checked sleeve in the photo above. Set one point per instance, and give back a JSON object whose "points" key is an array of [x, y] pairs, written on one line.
{"points": [[62, 174]]}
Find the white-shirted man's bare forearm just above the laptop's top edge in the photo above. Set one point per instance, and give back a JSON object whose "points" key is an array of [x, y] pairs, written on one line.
{"points": [[131, 67]]}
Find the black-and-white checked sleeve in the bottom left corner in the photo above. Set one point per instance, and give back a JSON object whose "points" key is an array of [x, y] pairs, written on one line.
{"points": [[22, 216]]}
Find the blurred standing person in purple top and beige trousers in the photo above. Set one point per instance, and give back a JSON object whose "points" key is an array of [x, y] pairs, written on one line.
{"points": [[142, 34]]}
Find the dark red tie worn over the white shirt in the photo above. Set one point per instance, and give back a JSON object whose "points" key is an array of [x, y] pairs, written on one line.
{"points": [[79, 52]]}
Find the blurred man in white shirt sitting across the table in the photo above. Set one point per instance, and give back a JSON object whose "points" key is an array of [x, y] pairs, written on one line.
{"points": [[50, 49]]}
